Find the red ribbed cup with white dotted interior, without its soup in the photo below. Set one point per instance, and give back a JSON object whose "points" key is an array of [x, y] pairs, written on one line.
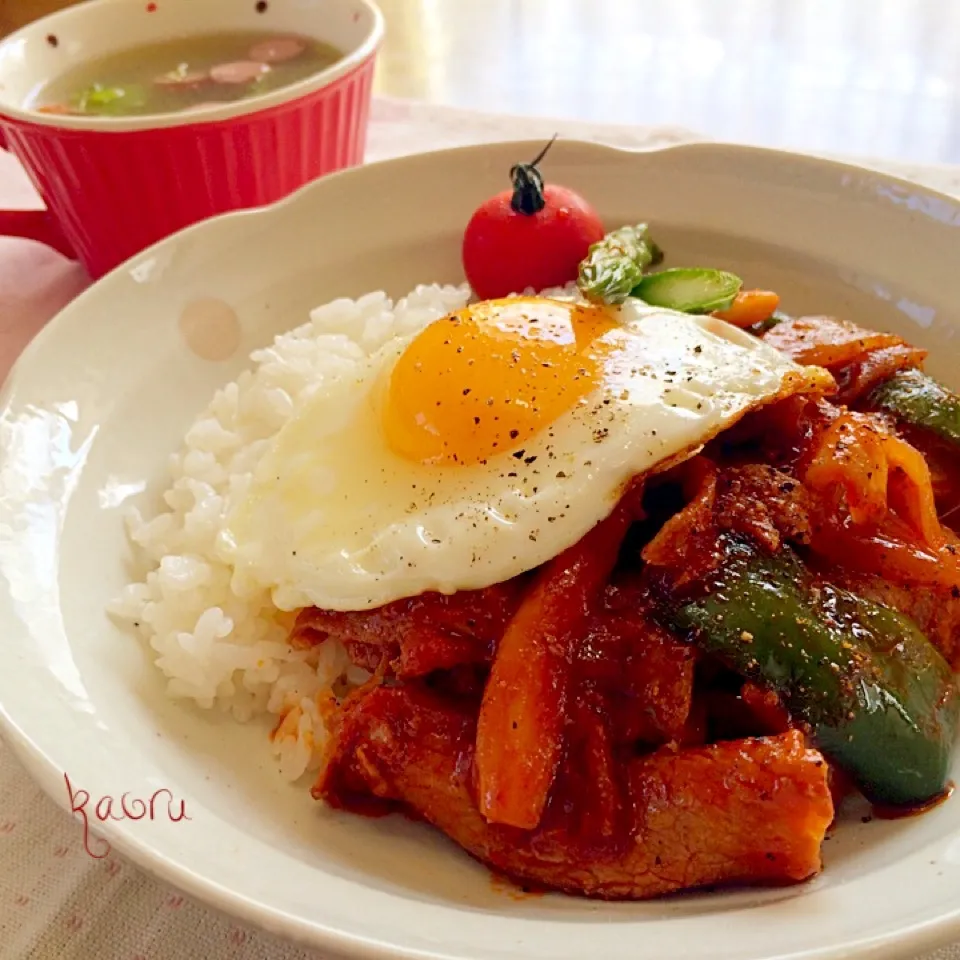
{"points": [[114, 185]]}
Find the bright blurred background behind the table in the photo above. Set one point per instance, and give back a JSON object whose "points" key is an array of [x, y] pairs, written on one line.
{"points": [[869, 77]]}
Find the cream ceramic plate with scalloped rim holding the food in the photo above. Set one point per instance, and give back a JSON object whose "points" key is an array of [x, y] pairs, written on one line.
{"points": [[92, 410]]}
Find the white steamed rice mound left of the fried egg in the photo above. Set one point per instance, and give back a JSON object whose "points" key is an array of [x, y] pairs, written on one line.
{"points": [[216, 647]]}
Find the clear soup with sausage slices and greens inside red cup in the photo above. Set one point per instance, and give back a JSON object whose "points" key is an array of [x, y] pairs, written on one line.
{"points": [[185, 74]]}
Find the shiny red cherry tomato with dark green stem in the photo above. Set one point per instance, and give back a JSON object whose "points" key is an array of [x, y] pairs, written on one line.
{"points": [[530, 236]]}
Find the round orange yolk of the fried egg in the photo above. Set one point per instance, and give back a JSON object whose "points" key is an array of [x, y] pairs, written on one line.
{"points": [[485, 379]]}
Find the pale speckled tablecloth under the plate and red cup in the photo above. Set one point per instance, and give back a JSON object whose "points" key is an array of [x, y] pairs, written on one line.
{"points": [[56, 903]]}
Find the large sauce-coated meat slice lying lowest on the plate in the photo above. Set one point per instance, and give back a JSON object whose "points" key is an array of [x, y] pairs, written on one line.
{"points": [[617, 827]]}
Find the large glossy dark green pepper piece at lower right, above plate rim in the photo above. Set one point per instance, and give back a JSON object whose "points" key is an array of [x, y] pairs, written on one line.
{"points": [[877, 696]]}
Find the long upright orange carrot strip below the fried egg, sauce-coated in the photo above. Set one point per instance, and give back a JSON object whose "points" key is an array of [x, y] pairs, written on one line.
{"points": [[524, 708]]}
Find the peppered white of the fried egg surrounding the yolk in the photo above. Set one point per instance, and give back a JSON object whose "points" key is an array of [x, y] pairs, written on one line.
{"points": [[335, 519]]}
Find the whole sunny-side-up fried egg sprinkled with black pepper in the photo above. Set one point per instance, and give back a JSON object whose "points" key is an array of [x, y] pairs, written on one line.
{"points": [[486, 444]]}
